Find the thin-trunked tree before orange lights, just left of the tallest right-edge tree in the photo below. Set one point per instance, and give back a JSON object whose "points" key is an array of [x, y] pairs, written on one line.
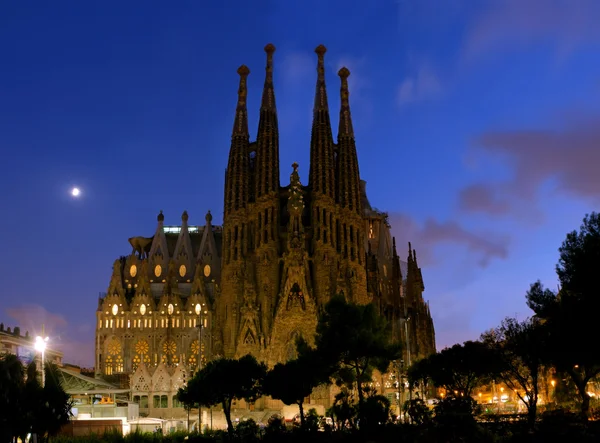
{"points": [[519, 349]]}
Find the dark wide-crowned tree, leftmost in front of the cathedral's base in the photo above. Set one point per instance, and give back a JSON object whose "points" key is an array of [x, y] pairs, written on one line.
{"points": [[223, 380]]}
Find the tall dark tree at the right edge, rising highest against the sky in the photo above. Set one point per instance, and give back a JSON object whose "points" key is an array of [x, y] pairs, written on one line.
{"points": [[569, 316]]}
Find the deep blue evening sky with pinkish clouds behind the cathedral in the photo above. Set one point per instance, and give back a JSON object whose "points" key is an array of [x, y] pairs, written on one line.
{"points": [[477, 127]]}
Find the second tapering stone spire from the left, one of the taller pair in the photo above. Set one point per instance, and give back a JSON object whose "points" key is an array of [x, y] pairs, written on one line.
{"points": [[267, 151]]}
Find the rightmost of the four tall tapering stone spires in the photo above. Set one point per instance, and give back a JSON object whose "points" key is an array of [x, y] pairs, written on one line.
{"points": [[348, 176]]}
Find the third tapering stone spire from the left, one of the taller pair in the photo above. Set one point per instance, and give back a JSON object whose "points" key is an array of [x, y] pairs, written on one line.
{"points": [[322, 167]]}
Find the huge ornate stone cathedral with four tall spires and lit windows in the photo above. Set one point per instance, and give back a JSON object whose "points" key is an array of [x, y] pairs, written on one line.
{"points": [[191, 293]]}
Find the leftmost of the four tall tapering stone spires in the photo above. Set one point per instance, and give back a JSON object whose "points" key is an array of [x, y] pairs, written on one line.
{"points": [[236, 177]]}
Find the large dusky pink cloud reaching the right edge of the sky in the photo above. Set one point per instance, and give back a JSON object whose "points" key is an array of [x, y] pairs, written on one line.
{"points": [[567, 157]]}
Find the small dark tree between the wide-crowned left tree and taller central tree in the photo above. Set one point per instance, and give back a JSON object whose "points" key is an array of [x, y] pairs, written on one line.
{"points": [[293, 381]]}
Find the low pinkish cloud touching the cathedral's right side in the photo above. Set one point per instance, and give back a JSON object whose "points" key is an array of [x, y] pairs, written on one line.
{"points": [[428, 235]]}
